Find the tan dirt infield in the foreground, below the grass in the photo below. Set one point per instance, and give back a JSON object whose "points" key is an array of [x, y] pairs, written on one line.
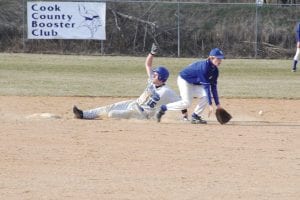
{"points": [[47, 154]]}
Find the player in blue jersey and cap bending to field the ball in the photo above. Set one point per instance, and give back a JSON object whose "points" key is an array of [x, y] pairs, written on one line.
{"points": [[199, 79]]}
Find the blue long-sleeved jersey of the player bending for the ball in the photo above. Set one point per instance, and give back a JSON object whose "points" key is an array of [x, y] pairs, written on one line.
{"points": [[203, 73]]}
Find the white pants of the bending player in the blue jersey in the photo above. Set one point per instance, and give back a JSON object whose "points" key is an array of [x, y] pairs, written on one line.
{"points": [[187, 92]]}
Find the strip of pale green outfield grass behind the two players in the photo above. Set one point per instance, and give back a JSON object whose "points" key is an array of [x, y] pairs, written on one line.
{"points": [[61, 75]]}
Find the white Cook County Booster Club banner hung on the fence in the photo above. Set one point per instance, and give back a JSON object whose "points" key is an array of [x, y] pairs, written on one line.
{"points": [[66, 20]]}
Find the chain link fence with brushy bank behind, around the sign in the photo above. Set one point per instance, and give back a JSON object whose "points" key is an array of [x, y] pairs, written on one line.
{"points": [[180, 28]]}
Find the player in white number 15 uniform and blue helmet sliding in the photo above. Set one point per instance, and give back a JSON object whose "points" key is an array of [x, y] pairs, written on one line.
{"points": [[156, 94]]}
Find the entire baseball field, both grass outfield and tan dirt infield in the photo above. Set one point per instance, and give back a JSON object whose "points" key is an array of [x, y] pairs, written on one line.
{"points": [[47, 154]]}
